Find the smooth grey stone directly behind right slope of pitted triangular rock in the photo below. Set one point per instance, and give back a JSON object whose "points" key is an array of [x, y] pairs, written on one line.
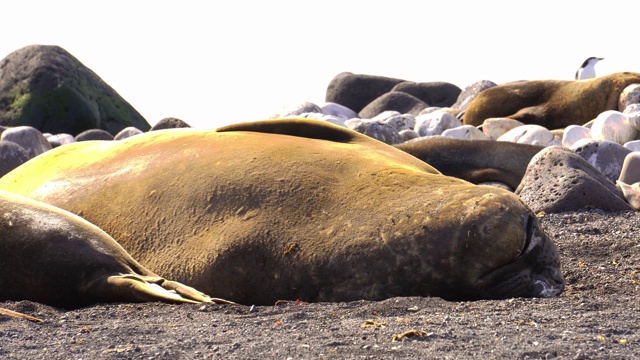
{"points": [[606, 156]]}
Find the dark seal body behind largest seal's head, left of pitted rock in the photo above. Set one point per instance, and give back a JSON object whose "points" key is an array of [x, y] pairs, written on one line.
{"points": [[476, 161]]}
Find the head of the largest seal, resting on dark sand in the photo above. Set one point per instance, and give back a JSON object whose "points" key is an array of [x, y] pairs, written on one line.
{"points": [[501, 250]]}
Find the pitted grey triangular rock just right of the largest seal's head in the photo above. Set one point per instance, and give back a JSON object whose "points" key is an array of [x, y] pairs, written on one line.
{"points": [[558, 180]]}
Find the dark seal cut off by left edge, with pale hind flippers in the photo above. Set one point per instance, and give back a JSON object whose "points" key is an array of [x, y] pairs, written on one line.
{"points": [[53, 257]]}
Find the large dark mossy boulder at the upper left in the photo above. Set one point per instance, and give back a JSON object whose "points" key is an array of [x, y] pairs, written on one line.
{"points": [[47, 88]]}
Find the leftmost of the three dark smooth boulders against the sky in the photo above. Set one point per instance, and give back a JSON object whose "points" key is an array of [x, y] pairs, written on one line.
{"points": [[356, 91]]}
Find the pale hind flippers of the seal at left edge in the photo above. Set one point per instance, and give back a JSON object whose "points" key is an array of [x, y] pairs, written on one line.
{"points": [[138, 288]]}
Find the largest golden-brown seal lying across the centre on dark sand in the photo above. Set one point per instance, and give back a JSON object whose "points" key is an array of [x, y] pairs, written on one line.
{"points": [[297, 209]]}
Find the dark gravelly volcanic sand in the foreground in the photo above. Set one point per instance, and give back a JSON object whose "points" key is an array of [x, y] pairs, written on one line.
{"points": [[598, 316]]}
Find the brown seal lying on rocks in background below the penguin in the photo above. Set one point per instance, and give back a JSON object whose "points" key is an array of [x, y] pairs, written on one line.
{"points": [[554, 104]]}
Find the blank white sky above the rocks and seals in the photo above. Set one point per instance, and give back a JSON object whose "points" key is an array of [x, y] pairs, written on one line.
{"points": [[212, 63]]}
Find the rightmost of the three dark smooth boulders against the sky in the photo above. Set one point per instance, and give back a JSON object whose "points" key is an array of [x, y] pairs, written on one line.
{"points": [[438, 94]]}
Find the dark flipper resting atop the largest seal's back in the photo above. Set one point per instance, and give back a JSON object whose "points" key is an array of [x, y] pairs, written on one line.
{"points": [[313, 129]]}
